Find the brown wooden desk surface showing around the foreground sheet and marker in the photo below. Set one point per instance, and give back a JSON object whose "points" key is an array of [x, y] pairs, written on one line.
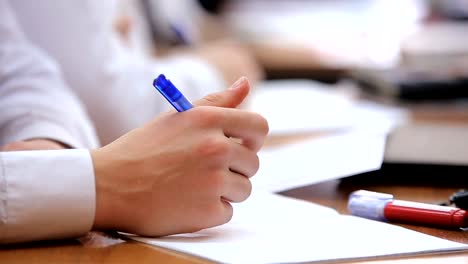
{"points": [[102, 248]]}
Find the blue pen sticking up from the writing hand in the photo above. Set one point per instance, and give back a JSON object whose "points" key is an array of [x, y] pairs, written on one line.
{"points": [[171, 93]]}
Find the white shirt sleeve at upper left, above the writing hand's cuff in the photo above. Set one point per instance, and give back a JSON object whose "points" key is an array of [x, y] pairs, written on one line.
{"points": [[34, 100]]}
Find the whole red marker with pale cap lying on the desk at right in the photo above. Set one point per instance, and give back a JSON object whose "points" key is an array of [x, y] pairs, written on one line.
{"points": [[383, 207]]}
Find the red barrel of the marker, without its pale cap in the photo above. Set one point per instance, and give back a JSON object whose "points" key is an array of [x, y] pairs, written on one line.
{"points": [[425, 214]]}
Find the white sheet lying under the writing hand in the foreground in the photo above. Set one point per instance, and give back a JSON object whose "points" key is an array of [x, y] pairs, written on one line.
{"points": [[269, 228]]}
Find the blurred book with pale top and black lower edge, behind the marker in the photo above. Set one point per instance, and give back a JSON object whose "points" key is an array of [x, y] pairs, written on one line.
{"points": [[423, 154]]}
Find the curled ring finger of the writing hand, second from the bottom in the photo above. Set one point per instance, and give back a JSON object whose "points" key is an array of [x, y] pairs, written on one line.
{"points": [[237, 187]]}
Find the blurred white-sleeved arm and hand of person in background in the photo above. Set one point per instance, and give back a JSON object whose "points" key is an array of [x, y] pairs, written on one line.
{"points": [[182, 26]]}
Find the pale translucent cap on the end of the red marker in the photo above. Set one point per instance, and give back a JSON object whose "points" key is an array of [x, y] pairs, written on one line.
{"points": [[368, 204]]}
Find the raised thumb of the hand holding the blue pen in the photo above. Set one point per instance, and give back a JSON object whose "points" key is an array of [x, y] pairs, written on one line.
{"points": [[230, 98]]}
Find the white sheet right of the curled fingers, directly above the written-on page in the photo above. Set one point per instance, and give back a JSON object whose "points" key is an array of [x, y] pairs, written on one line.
{"points": [[317, 160]]}
